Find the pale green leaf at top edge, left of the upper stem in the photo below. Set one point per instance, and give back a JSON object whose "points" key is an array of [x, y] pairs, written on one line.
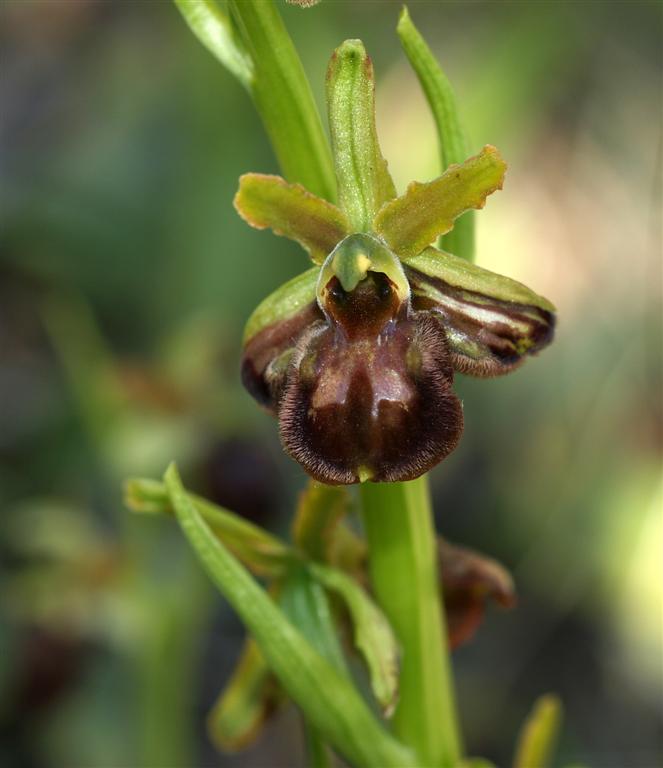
{"points": [[217, 33]]}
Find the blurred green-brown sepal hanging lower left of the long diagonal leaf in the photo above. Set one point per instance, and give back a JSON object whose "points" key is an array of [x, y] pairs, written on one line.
{"points": [[249, 697]]}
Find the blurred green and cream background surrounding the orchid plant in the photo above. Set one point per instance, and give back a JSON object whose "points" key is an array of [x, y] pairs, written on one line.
{"points": [[125, 280]]}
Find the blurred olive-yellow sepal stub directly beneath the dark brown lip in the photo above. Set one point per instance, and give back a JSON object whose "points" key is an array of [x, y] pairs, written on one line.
{"points": [[320, 509]]}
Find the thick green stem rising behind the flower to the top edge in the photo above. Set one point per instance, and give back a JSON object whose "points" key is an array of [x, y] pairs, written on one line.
{"points": [[283, 97]]}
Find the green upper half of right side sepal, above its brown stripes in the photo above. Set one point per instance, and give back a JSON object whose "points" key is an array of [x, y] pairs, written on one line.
{"points": [[462, 274]]}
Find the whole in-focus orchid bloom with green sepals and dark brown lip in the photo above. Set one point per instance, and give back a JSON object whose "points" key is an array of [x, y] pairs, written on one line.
{"points": [[357, 358]]}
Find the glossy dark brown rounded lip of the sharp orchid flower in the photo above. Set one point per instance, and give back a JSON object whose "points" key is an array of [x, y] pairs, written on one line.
{"points": [[368, 394]]}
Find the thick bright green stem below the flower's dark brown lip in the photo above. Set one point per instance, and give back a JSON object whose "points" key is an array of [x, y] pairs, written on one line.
{"points": [[400, 532]]}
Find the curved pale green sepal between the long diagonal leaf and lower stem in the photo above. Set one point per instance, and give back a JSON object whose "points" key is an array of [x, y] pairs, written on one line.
{"points": [[372, 633]]}
